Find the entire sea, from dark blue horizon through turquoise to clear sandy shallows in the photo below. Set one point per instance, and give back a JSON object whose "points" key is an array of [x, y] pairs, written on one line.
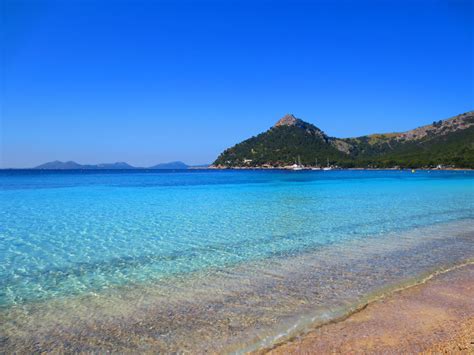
{"points": [[260, 253]]}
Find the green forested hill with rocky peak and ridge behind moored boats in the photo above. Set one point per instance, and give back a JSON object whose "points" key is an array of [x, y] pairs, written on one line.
{"points": [[446, 142]]}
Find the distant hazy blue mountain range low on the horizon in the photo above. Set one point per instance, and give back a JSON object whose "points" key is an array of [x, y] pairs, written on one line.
{"points": [[71, 165]]}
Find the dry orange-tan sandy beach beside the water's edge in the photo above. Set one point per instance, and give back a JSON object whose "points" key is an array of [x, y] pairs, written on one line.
{"points": [[434, 317]]}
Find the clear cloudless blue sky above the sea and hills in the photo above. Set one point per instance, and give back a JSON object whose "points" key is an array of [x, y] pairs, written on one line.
{"points": [[155, 81]]}
